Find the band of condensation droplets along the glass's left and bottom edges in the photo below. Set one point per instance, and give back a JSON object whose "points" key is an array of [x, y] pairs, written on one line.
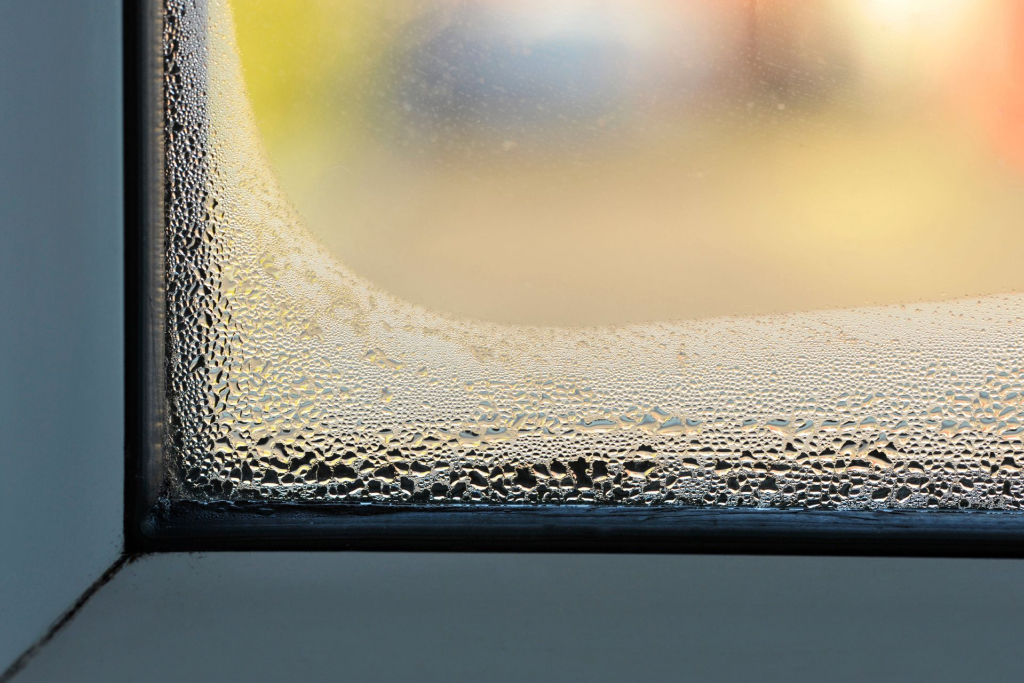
{"points": [[293, 379]]}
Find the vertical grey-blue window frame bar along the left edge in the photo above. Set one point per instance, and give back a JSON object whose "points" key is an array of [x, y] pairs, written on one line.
{"points": [[62, 336]]}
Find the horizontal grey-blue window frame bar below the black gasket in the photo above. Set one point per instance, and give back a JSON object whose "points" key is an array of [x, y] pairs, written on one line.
{"points": [[393, 617]]}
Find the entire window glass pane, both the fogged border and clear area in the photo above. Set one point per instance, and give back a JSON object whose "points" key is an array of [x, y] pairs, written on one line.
{"points": [[690, 252]]}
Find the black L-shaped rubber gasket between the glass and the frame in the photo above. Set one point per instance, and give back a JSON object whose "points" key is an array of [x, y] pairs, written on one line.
{"points": [[154, 525]]}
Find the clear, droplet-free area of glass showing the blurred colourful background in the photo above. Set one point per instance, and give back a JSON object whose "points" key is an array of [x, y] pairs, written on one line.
{"points": [[607, 161]]}
